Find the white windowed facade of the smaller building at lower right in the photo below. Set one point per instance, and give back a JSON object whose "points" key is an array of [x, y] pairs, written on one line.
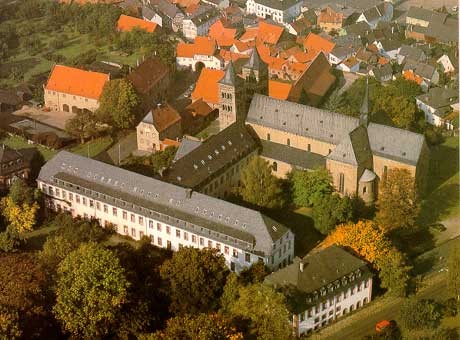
{"points": [[334, 306]]}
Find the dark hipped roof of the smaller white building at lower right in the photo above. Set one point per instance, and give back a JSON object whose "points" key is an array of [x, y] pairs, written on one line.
{"points": [[320, 267]]}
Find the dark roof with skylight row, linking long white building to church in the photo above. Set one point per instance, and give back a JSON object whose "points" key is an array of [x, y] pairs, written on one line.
{"points": [[198, 167]]}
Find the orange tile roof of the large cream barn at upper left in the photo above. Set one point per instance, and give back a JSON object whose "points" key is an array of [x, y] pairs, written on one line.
{"points": [[76, 82]]}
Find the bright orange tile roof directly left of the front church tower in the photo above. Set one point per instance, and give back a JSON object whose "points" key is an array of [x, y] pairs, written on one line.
{"points": [[207, 86]]}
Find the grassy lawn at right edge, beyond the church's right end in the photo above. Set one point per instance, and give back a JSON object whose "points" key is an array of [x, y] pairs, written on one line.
{"points": [[443, 189]]}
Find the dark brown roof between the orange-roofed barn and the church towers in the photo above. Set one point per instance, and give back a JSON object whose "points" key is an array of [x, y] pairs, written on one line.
{"points": [[147, 75]]}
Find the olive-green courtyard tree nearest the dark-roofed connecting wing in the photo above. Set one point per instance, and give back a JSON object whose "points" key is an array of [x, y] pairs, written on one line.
{"points": [[259, 186]]}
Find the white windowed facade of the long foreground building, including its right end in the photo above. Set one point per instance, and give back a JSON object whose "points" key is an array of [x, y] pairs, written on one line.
{"points": [[172, 233]]}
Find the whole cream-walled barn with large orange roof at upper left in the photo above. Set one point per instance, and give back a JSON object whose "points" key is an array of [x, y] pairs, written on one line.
{"points": [[71, 89]]}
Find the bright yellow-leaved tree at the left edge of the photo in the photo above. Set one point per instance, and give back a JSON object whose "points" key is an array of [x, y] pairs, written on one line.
{"points": [[20, 217]]}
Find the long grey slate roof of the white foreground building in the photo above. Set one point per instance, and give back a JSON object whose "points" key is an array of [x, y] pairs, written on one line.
{"points": [[164, 198]]}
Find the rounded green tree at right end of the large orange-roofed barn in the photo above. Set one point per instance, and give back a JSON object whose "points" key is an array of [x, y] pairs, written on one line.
{"points": [[118, 104]]}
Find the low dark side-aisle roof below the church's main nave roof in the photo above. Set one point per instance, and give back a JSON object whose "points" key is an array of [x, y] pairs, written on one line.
{"points": [[287, 154]]}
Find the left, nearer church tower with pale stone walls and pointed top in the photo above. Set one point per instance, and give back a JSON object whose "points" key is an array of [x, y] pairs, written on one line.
{"points": [[228, 95]]}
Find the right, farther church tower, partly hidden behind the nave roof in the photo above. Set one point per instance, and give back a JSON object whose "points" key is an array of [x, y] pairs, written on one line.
{"points": [[255, 76]]}
